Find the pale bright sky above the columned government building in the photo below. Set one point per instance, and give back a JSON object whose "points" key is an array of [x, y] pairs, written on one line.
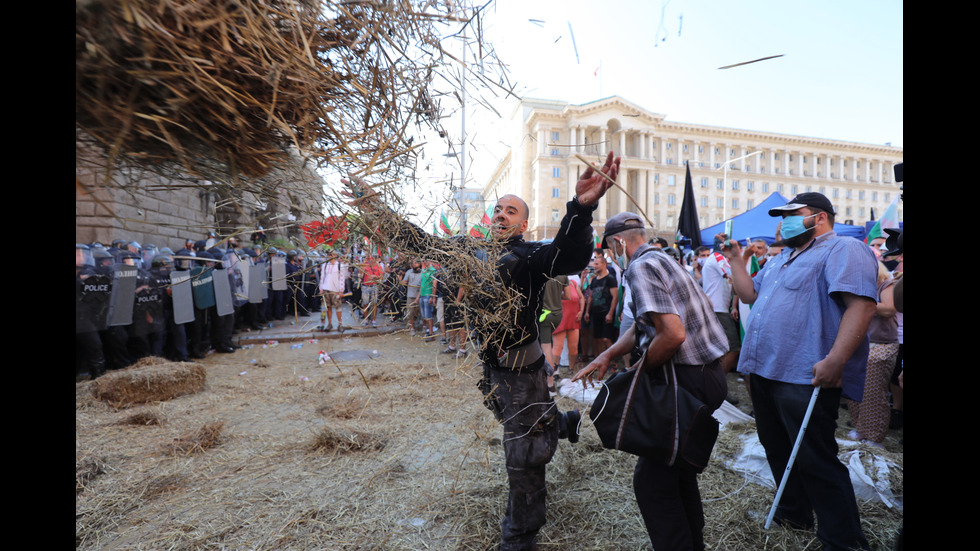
{"points": [[840, 75]]}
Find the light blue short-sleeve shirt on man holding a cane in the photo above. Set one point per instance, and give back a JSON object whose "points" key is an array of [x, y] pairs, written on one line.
{"points": [[797, 313]]}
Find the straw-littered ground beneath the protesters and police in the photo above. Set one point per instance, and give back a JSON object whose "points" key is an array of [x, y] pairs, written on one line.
{"points": [[385, 446]]}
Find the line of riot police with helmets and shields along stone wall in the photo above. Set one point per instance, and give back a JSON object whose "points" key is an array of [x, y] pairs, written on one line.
{"points": [[134, 301]]}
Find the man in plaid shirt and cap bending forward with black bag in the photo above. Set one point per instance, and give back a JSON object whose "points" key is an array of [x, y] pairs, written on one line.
{"points": [[673, 322]]}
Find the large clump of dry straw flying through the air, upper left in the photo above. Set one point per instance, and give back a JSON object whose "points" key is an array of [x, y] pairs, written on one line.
{"points": [[226, 90]]}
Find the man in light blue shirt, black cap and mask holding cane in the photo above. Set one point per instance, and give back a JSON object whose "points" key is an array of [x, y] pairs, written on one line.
{"points": [[811, 308]]}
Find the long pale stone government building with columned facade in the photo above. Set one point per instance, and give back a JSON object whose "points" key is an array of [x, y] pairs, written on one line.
{"points": [[732, 170]]}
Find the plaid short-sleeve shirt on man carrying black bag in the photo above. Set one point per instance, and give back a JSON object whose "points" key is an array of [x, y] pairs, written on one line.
{"points": [[659, 284]]}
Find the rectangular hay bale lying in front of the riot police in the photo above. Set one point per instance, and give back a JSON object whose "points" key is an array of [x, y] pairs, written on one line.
{"points": [[149, 382]]}
